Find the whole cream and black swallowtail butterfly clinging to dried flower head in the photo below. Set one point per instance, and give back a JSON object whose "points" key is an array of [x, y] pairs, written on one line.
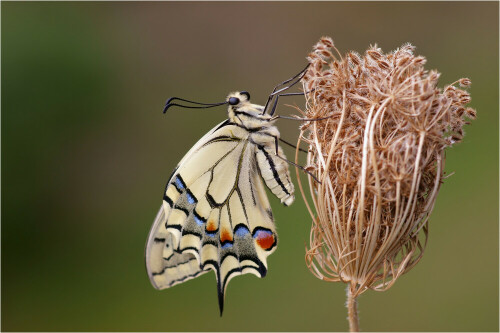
{"points": [[215, 213]]}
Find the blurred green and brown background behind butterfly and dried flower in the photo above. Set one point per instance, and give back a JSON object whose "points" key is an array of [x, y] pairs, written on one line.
{"points": [[86, 152]]}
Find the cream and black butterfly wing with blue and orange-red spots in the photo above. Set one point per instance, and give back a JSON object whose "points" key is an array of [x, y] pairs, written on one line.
{"points": [[215, 215]]}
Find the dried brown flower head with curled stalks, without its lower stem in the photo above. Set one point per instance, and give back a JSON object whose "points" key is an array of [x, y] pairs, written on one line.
{"points": [[379, 154]]}
